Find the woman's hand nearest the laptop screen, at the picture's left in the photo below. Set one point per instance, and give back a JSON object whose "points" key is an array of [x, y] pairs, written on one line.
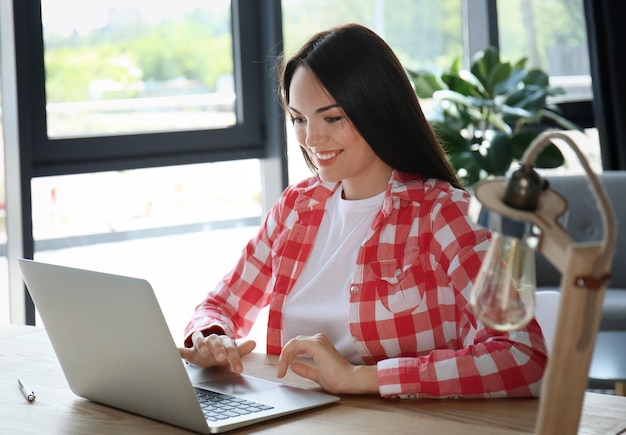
{"points": [[216, 350]]}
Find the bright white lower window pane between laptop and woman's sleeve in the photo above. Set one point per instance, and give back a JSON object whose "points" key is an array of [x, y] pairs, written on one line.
{"points": [[180, 227]]}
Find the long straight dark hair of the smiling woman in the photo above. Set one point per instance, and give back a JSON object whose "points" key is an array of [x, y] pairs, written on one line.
{"points": [[367, 80]]}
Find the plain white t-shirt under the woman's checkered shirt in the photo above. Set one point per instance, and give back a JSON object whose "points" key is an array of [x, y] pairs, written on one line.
{"points": [[320, 298]]}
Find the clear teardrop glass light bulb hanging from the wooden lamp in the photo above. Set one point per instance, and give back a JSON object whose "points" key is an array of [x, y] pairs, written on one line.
{"points": [[503, 296]]}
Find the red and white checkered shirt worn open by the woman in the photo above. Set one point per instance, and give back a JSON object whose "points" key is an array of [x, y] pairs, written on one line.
{"points": [[409, 293]]}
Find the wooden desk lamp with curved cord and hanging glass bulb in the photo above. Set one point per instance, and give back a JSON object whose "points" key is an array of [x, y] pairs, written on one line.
{"points": [[585, 269]]}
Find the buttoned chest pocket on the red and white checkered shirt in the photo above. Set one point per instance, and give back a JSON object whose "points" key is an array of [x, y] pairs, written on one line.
{"points": [[397, 287]]}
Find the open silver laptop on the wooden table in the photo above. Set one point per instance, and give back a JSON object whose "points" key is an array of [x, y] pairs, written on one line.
{"points": [[115, 348]]}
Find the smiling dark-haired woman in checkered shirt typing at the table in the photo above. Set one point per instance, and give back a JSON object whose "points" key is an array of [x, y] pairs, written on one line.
{"points": [[368, 265]]}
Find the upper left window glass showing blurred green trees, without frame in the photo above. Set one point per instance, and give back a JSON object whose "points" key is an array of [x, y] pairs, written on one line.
{"points": [[131, 66]]}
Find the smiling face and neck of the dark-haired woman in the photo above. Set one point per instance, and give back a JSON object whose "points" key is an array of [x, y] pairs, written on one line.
{"points": [[331, 140]]}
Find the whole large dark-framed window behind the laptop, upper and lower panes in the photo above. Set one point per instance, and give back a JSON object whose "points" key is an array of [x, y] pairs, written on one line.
{"points": [[142, 128]]}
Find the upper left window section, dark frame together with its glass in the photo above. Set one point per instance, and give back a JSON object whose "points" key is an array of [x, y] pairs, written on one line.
{"points": [[129, 83]]}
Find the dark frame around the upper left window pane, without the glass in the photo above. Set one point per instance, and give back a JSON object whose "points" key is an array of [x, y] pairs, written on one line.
{"points": [[55, 156]]}
